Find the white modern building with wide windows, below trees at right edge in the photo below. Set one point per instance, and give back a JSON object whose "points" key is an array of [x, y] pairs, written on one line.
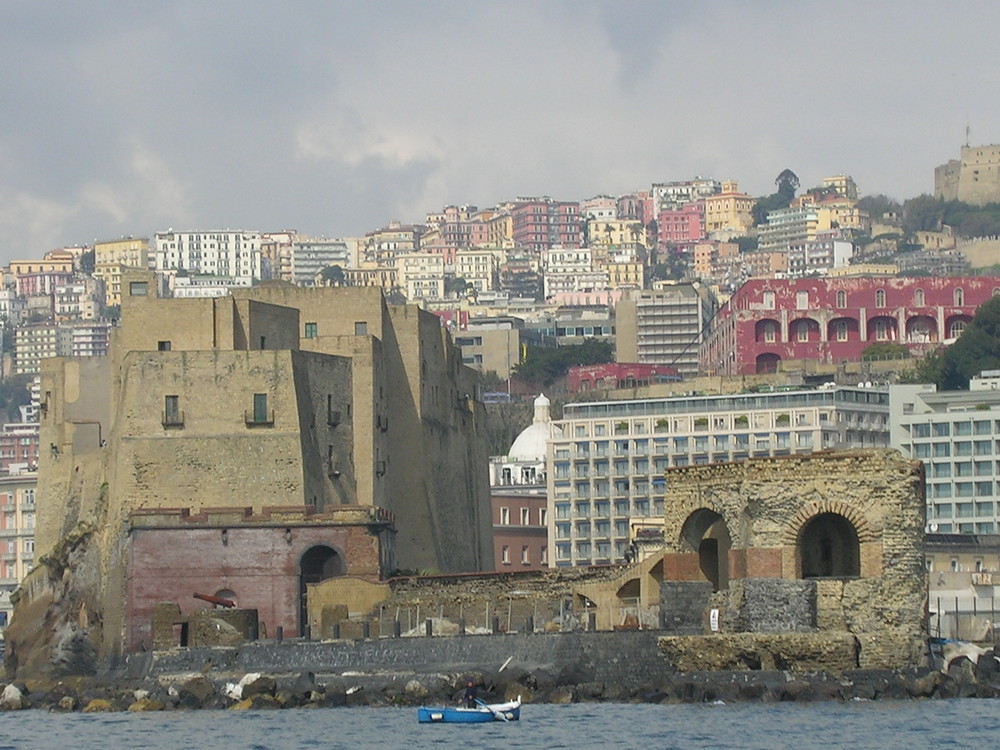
{"points": [[957, 436]]}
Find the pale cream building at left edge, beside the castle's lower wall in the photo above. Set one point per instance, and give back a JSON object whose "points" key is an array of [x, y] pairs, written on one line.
{"points": [[17, 535]]}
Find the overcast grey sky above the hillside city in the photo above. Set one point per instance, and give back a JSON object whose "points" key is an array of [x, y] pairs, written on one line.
{"points": [[333, 118]]}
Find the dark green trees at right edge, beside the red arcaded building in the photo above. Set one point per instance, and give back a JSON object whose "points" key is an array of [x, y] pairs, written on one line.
{"points": [[977, 349]]}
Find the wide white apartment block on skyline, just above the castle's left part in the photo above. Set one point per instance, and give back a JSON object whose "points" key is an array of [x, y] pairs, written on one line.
{"points": [[216, 252]]}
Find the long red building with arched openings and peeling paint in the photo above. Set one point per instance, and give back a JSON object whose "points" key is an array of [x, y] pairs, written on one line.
{"points": [[770, 321]]}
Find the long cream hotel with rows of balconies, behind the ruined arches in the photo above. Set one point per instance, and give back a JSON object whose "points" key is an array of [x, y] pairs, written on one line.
{"points": [[605, 471]]}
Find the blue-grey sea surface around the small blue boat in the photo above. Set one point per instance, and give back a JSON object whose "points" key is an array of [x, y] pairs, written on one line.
{"points": [[885, 725]]}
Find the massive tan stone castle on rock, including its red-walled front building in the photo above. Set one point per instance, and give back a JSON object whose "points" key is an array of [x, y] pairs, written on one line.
{"points": [[244, 447]]}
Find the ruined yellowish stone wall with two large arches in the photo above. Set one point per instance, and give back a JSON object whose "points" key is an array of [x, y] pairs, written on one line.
{"points": [[768, 508]]}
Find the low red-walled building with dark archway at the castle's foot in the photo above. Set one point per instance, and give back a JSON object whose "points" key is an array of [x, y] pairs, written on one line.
{"points": [[260, 562]]}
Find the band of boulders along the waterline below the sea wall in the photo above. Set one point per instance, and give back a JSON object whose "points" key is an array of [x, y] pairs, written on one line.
{"points": [[209, 690]]}
